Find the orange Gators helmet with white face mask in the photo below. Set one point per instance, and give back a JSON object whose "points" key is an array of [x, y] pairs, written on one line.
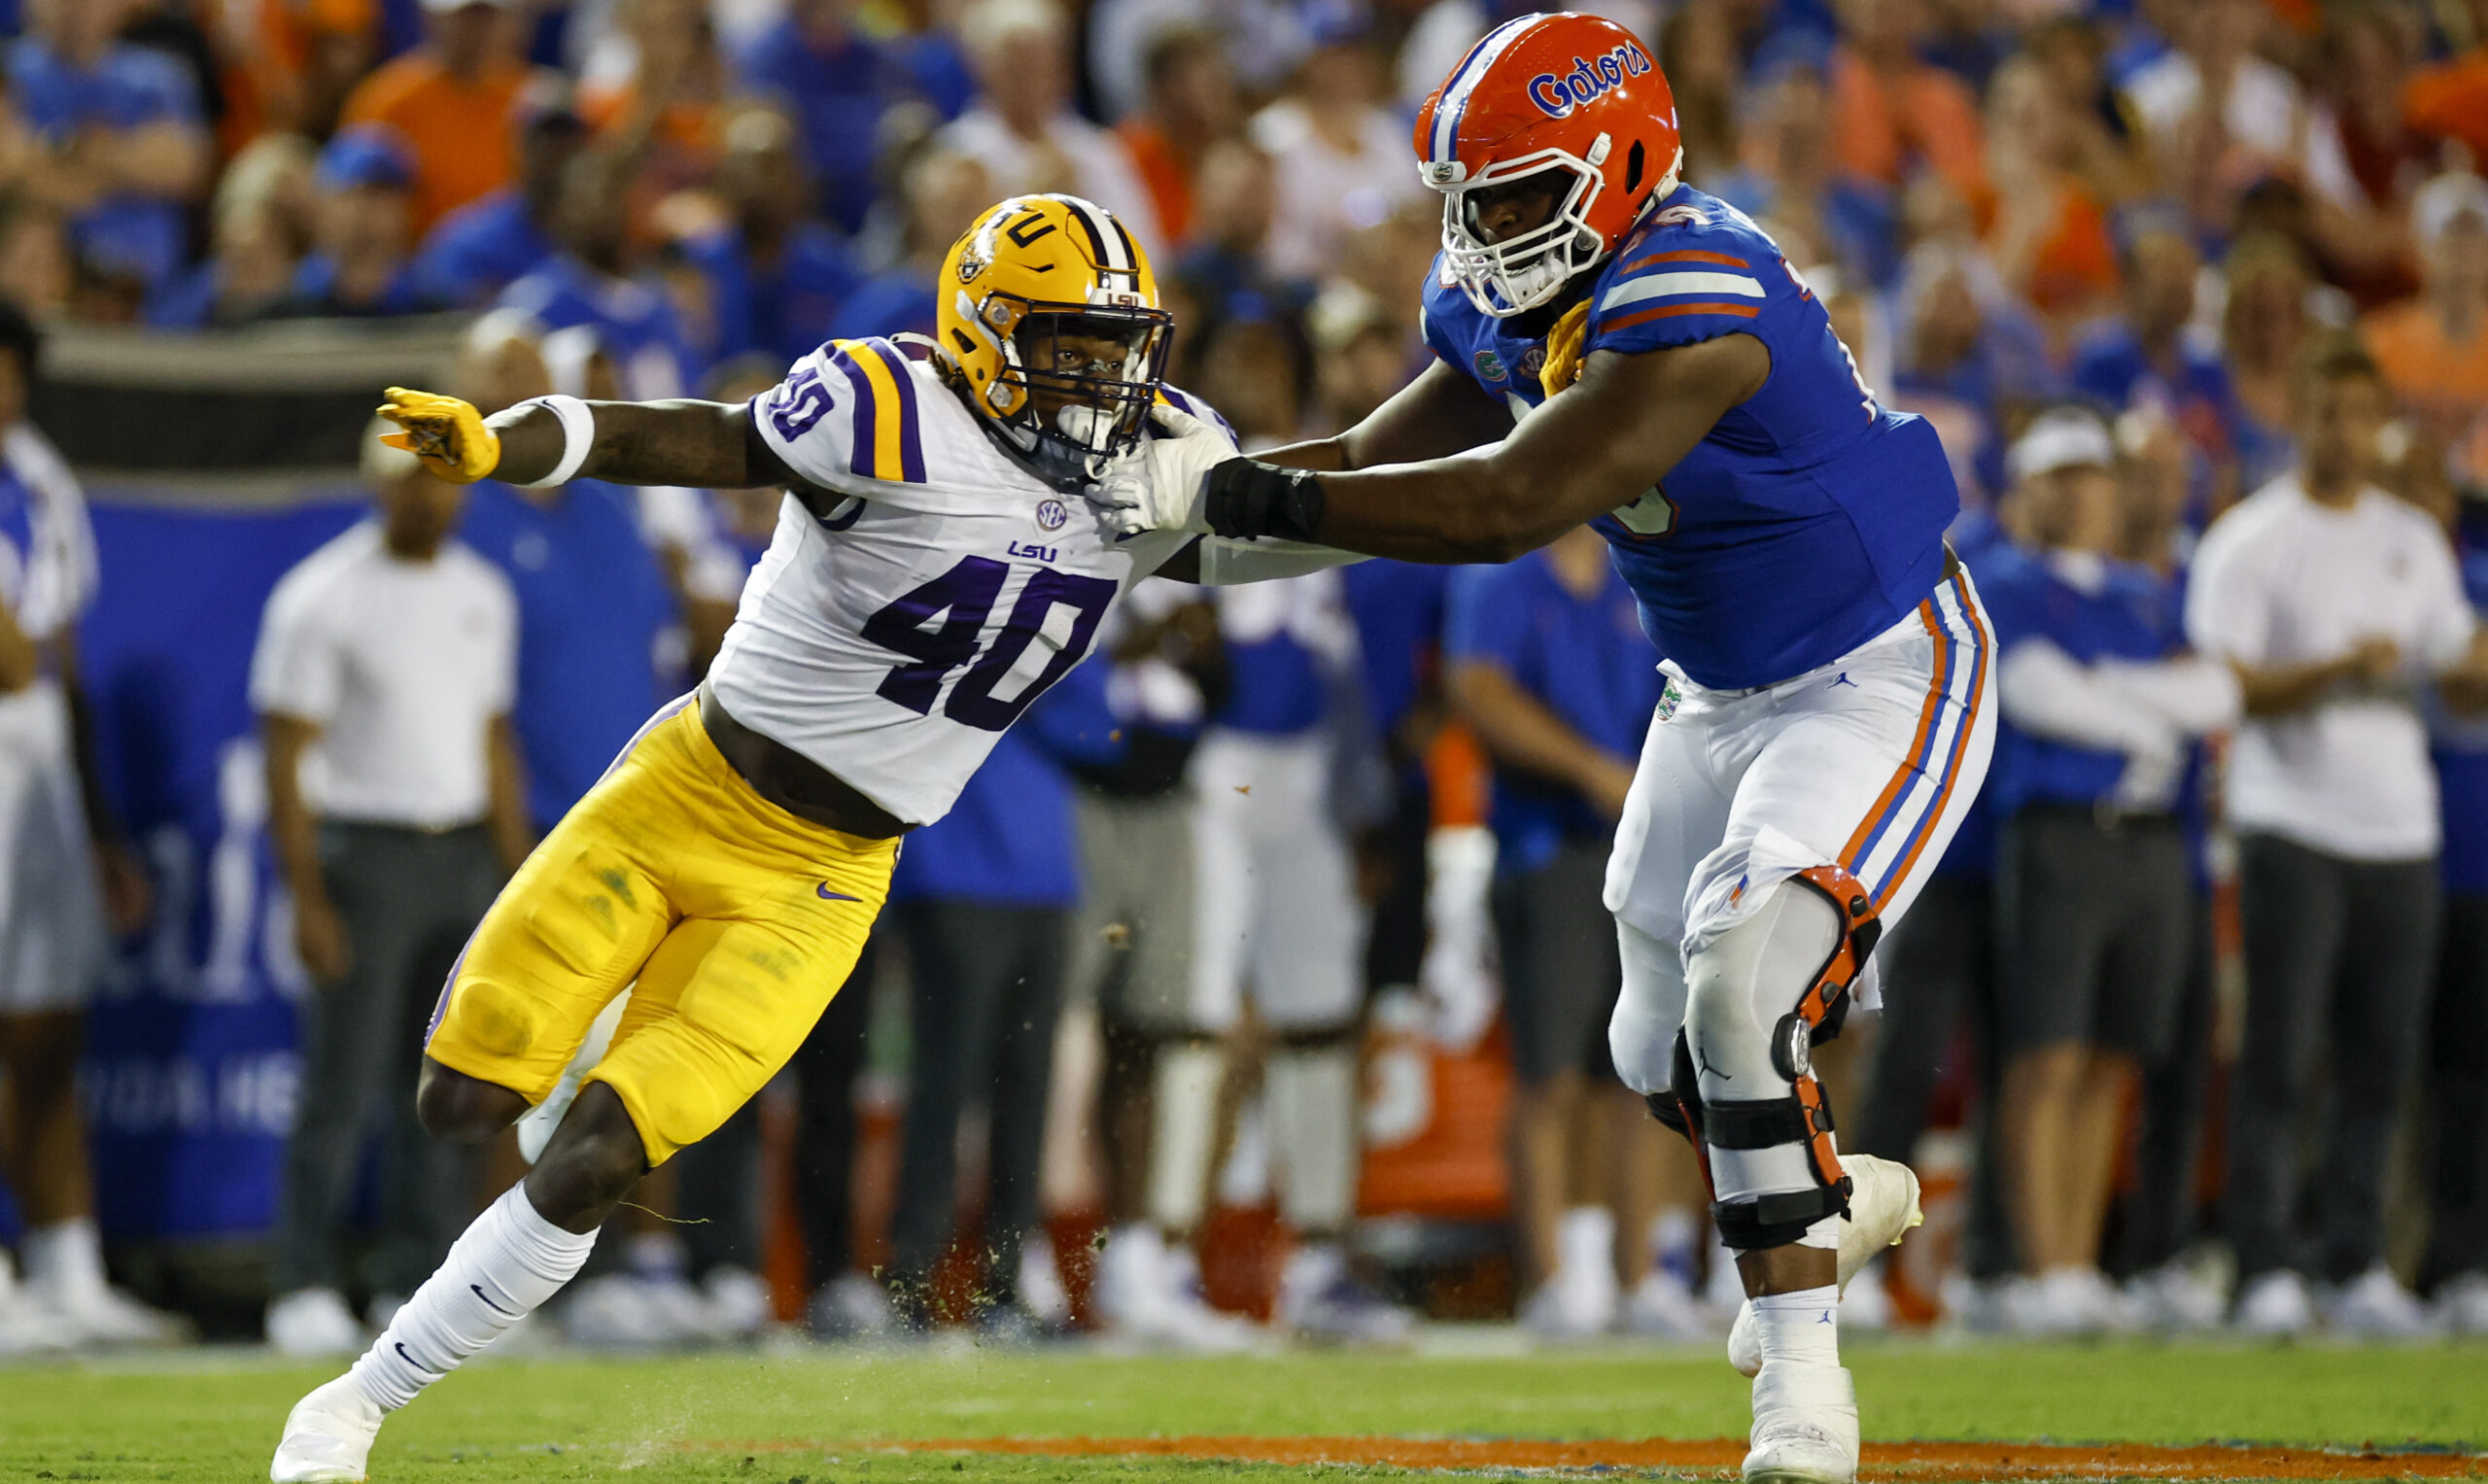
{"points": [[1549, 93]]}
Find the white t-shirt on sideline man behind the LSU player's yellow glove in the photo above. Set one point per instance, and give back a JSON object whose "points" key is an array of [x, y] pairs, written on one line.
{"points": [[402, 666]]}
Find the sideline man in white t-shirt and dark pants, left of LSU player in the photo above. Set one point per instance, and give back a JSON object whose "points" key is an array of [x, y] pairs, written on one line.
{"points": [[384, 681]]}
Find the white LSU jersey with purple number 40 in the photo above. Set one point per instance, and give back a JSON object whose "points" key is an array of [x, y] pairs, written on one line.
{"points": [[894, 639]]}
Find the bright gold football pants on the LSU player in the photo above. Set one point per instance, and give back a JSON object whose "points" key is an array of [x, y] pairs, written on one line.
{"points": [[735, 920]]}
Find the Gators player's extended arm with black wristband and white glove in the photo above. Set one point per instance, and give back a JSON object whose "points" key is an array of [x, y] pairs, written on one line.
{"points": [[1591, 449]]}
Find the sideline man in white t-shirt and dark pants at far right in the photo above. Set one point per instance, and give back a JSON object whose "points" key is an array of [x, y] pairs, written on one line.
{"points": [[2335, 604]]}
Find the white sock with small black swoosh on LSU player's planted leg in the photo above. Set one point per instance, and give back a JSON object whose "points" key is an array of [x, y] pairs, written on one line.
{"points": [[496, 1274]]}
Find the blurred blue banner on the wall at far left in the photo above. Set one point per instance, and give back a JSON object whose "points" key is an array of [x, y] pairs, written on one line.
{"points": [[190, 1047]]}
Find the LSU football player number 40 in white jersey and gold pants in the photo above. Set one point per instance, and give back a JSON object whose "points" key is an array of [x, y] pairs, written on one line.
{"points": [[934, 571]]}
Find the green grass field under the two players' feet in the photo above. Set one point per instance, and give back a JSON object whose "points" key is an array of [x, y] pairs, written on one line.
{"points": [[832, 1418]]}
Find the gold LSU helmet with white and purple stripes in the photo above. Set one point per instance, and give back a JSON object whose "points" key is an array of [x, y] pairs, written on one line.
{"points": [[1051, 315]]}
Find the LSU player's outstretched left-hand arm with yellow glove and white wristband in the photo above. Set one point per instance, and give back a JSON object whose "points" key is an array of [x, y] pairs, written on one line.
{"points": [[703, 444]]}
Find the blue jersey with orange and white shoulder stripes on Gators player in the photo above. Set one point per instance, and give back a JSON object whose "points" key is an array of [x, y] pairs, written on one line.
{"points": [[1808, 522]]}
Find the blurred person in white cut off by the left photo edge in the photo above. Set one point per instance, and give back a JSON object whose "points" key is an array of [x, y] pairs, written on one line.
{"points": [[66, 878]]}
